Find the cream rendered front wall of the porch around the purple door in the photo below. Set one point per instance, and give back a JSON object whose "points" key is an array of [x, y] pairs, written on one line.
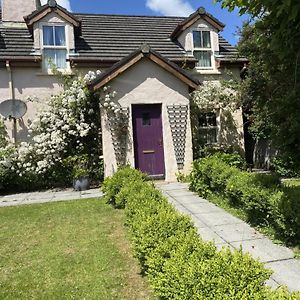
{"points": [[147, 83]]}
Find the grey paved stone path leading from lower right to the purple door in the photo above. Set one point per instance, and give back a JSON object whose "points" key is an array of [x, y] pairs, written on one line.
{"points": [[215, 224]]}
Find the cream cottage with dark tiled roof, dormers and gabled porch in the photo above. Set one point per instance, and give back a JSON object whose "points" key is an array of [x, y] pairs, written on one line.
{"points": [[153, 63]]}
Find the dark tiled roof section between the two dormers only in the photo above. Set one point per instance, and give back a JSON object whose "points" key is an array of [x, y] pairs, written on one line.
{"points": [[113, 37]]}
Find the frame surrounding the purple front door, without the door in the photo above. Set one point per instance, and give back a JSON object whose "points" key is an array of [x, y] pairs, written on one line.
{"points": [[160, 176]]}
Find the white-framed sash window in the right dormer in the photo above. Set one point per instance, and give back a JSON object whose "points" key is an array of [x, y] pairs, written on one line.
{"points": [[202, 48]]}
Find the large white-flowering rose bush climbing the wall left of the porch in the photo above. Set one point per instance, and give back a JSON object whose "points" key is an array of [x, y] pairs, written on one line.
{"points": [[70, 125]]}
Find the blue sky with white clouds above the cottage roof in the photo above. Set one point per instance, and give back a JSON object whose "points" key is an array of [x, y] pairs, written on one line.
{"points": [[159, 7]]}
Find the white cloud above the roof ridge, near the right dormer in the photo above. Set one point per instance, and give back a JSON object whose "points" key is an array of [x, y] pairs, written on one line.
{"points": [[171, 7]]}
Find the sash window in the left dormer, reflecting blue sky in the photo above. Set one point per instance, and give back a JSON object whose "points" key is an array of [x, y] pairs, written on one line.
{"points": [[54, 46]]}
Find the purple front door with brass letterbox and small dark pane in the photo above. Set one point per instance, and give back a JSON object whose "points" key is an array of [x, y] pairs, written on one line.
{"points": [[148, 139]]}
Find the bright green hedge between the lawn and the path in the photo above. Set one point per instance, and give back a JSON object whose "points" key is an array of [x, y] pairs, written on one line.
{"points": [[178, 263]]}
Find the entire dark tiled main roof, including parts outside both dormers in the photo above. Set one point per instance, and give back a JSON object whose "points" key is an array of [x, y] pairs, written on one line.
{"points": [[109, 38]]}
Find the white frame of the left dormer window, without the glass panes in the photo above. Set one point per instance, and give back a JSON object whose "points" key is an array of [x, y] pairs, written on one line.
{"points": [[66, 47]]}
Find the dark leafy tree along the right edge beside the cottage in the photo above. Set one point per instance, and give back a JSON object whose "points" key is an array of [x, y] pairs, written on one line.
{"points": [[271, 90]]}
